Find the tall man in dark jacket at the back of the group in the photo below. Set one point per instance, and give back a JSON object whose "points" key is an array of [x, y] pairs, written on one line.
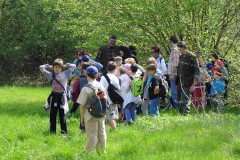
{"points": [[106, 53]]}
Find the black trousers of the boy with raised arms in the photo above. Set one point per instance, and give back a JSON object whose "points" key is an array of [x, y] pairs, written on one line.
{"points": [[62, 117]]}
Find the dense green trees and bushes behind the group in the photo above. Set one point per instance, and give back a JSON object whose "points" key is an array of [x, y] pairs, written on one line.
{"points": [[34, 32]]}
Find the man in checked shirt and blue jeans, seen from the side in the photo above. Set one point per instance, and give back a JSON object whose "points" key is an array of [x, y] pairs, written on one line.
{"points": [[172, 69]]}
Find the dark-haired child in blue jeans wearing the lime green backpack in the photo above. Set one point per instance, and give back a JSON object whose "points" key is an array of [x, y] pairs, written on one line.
{"points": [[130, 101]]}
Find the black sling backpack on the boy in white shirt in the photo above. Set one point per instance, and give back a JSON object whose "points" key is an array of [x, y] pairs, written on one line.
{"points": [[114, 93]]}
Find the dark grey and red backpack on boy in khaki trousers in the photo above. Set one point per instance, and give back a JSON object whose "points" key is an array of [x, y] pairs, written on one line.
{"points": [[97, 104]]}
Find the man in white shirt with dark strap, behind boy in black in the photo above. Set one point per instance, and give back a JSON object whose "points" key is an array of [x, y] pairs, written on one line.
{"points": [[161, 65]]}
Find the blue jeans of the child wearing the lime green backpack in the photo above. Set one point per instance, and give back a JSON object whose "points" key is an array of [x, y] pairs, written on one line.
{"points": [[130, 111]]}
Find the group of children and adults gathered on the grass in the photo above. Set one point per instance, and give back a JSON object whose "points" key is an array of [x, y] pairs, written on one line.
{"points": [[119, 65]]}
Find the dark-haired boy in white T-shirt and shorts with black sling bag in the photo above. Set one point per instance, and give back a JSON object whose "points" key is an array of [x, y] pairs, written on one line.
{"points": [[112, 111]]}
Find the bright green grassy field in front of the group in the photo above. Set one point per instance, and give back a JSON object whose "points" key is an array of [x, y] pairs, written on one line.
{"points": [[24, 133]]}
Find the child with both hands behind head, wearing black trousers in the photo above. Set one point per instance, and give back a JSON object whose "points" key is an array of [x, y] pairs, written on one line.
{"points": [[58, 99]]}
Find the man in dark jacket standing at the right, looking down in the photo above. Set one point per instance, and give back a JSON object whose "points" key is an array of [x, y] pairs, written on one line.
{"points": [[187, 77]]}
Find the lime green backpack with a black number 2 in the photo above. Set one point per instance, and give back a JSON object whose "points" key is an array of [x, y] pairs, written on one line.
{"points": [[137, 86]]}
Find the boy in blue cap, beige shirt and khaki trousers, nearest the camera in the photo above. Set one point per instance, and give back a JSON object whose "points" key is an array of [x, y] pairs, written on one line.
{"points": [[95, 127]]}
